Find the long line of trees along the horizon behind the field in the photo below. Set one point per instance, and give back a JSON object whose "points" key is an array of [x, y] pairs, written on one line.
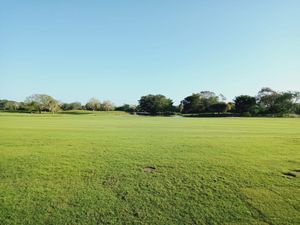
{"points": [[205, 103]]}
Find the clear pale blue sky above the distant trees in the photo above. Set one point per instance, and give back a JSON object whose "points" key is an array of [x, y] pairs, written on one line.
{"points": [[120, 50]]}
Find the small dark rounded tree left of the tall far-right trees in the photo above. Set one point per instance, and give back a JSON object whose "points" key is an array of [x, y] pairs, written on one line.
{"points": [[245, 104]]}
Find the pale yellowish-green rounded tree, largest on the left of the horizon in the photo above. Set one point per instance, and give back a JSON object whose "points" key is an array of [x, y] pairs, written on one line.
{"points": [[42, 102]]}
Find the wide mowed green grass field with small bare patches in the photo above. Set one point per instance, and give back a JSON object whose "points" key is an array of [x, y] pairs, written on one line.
{"points": [[89, 169]]}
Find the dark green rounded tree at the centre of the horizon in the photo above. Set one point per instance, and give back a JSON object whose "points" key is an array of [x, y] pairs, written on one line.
{"points": [[154, 104]]}
